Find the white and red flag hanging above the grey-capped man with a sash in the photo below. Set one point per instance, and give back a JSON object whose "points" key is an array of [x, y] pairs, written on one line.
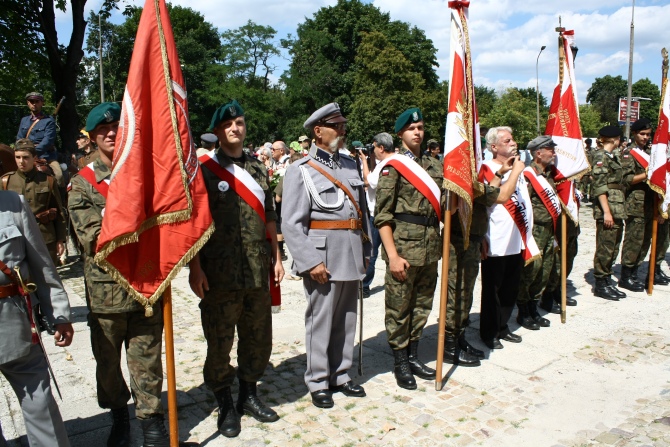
{"points": [[563, 123]]}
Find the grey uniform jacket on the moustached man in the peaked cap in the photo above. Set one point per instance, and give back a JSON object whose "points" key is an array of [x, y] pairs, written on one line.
{"points": [[342, 251]]}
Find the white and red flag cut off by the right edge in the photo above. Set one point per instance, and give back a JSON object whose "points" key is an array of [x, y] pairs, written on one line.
{"points": [[657, 172]]}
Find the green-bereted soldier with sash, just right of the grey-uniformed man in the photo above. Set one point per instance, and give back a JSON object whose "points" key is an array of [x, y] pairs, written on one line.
{"points": [[412, 245]]}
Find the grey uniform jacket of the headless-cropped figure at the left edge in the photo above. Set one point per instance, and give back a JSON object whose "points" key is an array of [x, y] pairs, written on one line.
{"points": [[21, 244]]}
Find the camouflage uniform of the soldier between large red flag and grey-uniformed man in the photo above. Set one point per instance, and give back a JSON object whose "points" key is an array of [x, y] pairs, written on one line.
{"points": [[236, 260]]}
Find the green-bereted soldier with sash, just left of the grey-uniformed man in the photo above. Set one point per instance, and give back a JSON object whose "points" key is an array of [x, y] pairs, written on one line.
{"points": [[231, 275]]}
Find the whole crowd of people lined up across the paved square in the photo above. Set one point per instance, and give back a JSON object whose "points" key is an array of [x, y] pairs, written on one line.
{"points": [[334, 208]]}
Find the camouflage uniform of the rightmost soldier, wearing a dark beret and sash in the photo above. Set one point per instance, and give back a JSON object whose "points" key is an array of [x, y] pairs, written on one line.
{"points": [[640, 212]]}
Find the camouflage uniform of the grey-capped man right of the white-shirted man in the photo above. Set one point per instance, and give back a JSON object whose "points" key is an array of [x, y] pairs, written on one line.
{"points": [[534, 276]]}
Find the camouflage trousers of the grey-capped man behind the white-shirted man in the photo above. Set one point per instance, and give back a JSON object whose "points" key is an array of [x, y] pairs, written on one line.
{"points": [[535, 276]]}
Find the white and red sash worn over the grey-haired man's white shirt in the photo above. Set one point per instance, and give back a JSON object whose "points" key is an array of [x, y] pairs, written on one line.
{"points": [[521, 214]]}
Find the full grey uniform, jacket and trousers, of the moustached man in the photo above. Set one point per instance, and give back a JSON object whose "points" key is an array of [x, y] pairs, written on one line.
{"points": [[330, 318]]}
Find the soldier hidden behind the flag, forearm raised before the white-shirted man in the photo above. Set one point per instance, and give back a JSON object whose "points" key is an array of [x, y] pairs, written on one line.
{"points": [[464, 265]]}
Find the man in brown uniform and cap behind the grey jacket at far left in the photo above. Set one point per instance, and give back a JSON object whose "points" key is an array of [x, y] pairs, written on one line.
{"points": [[41, 193]]}
